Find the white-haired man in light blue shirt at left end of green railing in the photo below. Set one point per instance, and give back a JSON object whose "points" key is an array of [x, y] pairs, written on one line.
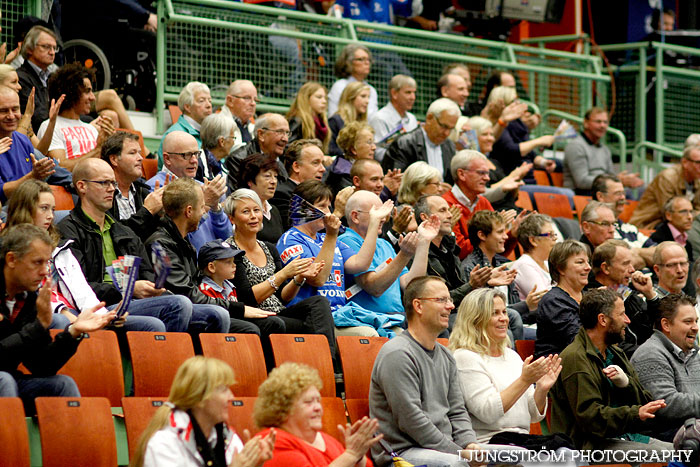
{"points": [[194, 102]]}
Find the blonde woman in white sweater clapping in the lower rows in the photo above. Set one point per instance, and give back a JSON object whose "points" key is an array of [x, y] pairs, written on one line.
{"points": [[498, 387]]}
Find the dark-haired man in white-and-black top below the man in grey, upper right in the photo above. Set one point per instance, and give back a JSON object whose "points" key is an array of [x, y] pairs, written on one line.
{"points": [[607, 188]]}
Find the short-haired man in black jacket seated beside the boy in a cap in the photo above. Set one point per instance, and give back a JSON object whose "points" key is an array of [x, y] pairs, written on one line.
{"points": [[183, 203]]}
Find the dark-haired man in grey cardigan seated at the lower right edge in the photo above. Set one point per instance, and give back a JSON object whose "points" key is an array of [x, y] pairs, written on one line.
{"points": [[668, 364]]}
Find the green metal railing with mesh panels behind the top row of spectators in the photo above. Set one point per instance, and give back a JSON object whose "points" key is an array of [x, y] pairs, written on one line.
{"points": [[217, 41]]}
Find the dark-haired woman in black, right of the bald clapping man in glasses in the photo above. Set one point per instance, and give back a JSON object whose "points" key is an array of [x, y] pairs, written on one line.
{"points": [[259, 173]]}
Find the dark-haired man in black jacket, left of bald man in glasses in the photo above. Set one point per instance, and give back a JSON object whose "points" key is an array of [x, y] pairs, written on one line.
{"points": [[134, 204]]}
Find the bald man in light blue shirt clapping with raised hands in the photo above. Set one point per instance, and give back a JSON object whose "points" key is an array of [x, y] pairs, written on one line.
{"points": [[379, 287]]}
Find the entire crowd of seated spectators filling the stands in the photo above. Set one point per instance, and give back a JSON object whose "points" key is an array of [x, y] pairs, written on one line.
{"points": [[347, 216]]}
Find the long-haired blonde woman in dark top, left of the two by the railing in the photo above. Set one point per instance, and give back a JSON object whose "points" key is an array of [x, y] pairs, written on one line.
{"points": [[307, 115]]}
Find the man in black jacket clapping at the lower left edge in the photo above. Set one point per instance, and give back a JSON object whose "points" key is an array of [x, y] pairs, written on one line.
{"points": [[25, 316]]}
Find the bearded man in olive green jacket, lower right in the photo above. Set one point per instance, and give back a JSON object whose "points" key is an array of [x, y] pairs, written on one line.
{"points": [[588, 404]]}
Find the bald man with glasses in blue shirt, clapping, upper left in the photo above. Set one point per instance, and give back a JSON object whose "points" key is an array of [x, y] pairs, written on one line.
{"points": [[181, 159]]}
